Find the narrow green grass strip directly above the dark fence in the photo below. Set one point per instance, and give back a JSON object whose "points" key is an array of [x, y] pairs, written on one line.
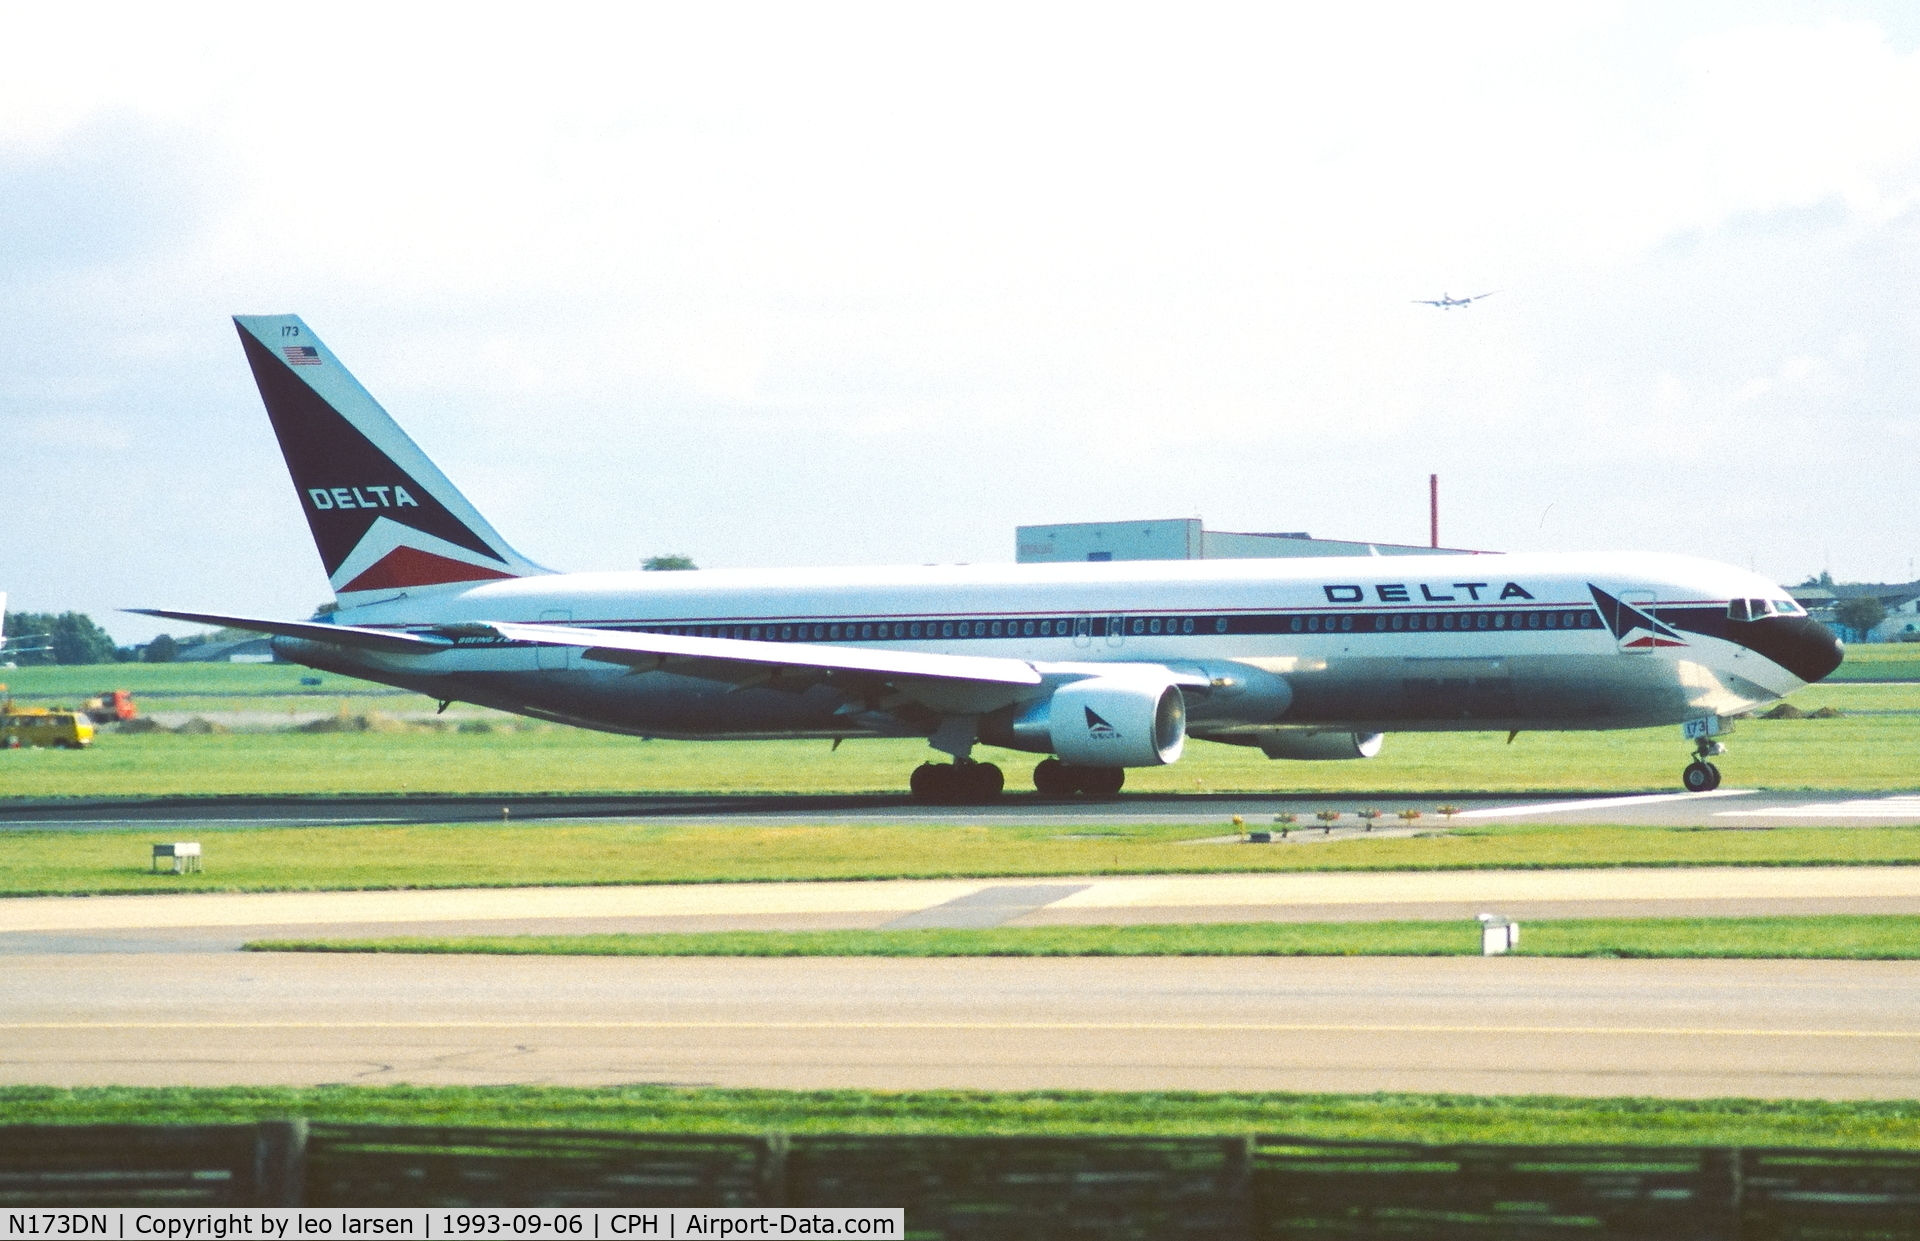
{"points": [[663, 1109]]}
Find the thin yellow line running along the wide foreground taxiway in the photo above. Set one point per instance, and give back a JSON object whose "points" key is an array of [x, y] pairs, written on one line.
{"points": [[1034, 1027]]}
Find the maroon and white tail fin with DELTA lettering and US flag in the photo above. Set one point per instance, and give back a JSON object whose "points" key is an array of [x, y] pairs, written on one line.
{"points": [[383, 516]]}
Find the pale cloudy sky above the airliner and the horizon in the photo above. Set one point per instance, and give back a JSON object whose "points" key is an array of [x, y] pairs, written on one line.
{"points": [[857, 285]]}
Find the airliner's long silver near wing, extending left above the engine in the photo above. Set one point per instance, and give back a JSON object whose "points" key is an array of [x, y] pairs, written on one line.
{"points": [[654, 650]]}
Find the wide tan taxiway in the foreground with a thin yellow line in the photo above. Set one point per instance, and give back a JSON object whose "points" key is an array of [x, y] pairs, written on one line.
{"points": [[1681, 1029]]}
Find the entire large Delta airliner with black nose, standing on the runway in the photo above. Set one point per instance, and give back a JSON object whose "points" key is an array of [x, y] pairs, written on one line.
{"points": [[1099, 666]]}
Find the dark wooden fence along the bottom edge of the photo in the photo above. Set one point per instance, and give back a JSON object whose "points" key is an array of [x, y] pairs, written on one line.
{"points": [[1001, 1188]]}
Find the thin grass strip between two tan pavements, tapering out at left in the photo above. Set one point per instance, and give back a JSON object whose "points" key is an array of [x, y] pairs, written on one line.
{"points": [[1825, 938]]}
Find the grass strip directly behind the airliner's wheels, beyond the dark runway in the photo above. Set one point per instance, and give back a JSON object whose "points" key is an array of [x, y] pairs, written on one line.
{"points": [[1861, 752]]}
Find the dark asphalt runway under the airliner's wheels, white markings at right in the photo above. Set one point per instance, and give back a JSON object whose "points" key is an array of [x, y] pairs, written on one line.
{"points": [[1727, 808]]}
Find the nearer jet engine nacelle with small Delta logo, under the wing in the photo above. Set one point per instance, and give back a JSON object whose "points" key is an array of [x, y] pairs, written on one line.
{"points": [[1103, 721]]}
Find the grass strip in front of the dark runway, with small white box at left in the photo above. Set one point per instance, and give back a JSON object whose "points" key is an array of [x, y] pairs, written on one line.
{"points": [[391, 858]]}
